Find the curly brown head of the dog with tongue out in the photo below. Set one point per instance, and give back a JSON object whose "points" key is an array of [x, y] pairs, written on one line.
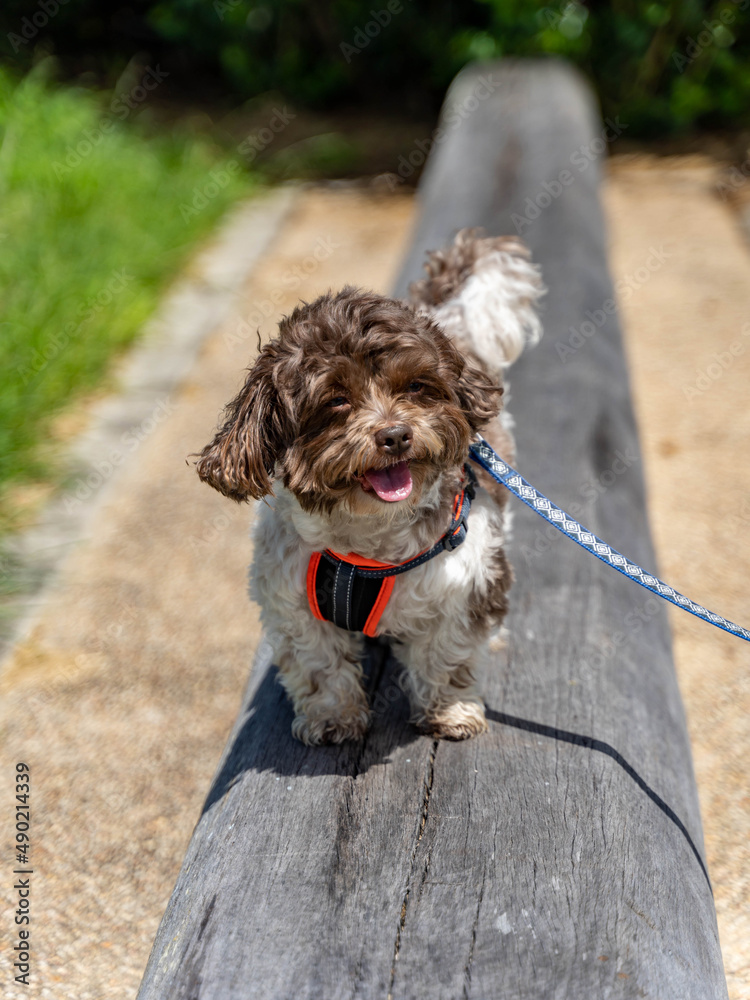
{"points": [[360, 400]]}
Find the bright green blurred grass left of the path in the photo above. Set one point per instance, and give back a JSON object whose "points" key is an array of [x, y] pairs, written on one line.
{"points": [[91, 232]]}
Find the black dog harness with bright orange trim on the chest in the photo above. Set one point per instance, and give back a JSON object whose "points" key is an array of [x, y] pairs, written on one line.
{"points": [[353, 592]]}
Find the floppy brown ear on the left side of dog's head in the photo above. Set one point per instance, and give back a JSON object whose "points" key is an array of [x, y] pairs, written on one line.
{"points": [[240, 460]]}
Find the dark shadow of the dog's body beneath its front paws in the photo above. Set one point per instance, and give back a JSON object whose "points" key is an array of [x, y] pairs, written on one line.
{"points": [[263, 740]]}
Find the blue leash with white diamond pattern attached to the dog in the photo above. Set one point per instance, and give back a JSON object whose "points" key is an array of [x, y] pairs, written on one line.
{"points": [[481, 453]]}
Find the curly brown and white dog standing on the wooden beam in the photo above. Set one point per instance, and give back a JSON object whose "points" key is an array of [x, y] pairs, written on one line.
{"points": [[354, 424]]}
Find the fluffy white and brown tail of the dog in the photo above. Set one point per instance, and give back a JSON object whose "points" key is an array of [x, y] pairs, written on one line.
{"points": [[483, 292]]}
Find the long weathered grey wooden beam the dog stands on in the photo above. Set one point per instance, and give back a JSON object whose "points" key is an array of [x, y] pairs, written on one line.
{"points": [[560, 855]]}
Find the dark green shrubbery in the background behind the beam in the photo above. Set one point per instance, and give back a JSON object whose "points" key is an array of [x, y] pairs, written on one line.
{"points": [[663, 66]]}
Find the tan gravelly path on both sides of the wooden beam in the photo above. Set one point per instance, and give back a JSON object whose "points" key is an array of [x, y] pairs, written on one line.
{"points": [[123, 690]]}
